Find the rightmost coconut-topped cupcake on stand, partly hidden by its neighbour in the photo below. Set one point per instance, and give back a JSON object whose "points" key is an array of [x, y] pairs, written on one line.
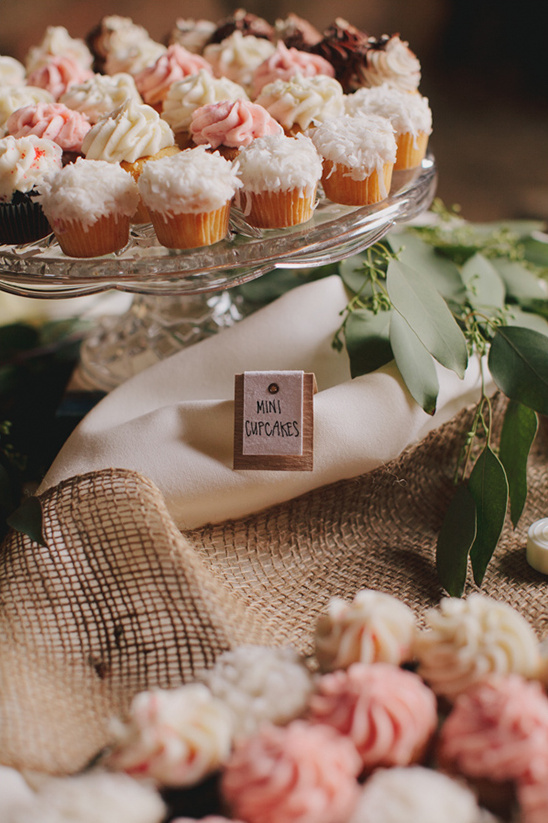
{"points": [[409, 114]]}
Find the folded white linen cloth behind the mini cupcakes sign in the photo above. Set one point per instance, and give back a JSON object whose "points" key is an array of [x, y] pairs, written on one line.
{"points": [[173, 422]]}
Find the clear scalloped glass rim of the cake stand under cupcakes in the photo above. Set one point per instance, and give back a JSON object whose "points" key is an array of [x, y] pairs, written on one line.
{"points": [[144, 266]]}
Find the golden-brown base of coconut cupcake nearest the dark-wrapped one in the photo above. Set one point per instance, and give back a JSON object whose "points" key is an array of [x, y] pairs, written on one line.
{"points": [[108, 234]]}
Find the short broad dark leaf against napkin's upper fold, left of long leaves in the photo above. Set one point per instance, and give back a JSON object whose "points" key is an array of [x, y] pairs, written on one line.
{"points": [[367, 340]]}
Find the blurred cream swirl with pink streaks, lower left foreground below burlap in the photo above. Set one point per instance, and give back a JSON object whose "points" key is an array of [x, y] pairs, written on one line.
{"points": [[176, 737]]}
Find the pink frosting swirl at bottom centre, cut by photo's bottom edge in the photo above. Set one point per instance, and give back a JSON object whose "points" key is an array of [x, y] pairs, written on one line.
{"points": [[292, 774]]}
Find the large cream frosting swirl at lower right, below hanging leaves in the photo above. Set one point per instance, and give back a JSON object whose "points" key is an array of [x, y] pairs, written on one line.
{"points": [[466, 639]]}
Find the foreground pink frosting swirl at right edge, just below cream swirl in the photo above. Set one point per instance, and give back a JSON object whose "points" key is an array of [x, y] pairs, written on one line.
{"points": [[497, 729]]}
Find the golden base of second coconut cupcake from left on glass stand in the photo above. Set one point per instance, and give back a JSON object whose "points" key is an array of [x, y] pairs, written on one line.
{"points": [[189, 230]]}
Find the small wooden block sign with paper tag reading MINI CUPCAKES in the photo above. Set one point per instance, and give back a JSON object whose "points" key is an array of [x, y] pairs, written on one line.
{"points": [[274, 420]]}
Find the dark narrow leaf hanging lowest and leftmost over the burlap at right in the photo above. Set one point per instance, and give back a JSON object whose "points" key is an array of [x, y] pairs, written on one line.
{"points": [[456, 537]]}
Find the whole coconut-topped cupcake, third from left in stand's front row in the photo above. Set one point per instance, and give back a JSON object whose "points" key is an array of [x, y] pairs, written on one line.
{"points": [[280, 176]]}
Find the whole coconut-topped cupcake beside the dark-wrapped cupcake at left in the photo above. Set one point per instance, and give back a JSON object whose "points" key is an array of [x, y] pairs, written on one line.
{"points": [[89, 204]]}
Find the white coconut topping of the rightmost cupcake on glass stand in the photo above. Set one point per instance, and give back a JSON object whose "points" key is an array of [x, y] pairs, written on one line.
{"points": [[408, 113]]}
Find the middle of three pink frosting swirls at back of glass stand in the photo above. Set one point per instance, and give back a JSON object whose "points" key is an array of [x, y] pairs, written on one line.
{"points": [[154, 82]]}
